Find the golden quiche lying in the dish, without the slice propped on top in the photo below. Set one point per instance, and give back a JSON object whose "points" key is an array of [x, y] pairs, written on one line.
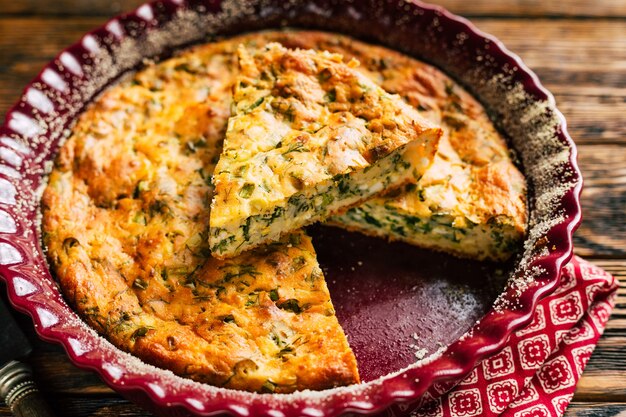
{"points": [[126, 219]]}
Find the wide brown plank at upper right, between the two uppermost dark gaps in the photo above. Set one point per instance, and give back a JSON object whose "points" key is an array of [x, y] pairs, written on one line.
{"points": [[582, 62]]}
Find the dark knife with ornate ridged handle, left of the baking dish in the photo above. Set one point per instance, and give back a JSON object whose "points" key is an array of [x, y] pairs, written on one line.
{"points": [[17, 386]]}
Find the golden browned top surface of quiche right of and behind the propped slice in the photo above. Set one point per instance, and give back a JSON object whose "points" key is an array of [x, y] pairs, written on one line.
{"points": [[469, 143]]}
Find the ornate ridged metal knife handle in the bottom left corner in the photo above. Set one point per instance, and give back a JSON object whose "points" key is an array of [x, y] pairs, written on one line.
{"points": [[20, 393]]}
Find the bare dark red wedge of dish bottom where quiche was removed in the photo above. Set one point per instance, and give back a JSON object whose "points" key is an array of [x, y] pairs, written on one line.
{"points": [[398, 303]]}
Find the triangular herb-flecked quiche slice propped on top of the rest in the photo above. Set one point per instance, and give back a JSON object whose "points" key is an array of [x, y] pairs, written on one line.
{"points": [[309, 136]]}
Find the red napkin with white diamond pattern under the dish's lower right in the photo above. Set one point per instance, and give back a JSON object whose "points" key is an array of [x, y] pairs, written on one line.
{"points": [[535, 375]]}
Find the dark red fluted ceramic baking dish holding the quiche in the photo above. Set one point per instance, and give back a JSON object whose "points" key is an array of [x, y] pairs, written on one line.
{"points": [[461, 330]]}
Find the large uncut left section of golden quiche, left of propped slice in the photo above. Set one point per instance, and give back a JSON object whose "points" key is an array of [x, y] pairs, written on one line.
{"points": [[126, 221]]}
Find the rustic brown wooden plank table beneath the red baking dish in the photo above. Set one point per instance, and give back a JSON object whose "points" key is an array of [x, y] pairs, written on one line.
{"points": [[578, 49]]}
